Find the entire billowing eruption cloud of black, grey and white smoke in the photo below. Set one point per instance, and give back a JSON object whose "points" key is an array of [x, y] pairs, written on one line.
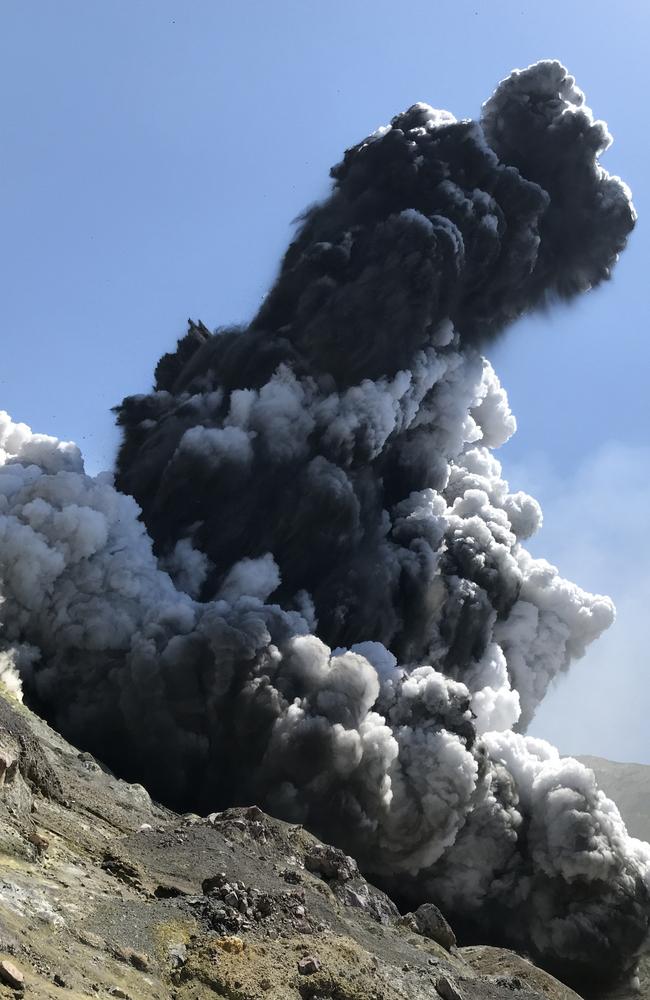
{"points": [[326, 606]]}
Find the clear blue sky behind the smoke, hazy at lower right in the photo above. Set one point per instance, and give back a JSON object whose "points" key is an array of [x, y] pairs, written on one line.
{"points": [[154, 153]]}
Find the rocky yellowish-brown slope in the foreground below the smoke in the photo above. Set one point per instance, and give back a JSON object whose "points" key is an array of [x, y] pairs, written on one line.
{"points": [[105, 894]]}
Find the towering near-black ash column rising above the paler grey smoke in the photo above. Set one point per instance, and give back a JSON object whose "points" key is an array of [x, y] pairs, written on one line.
{"points": [[300, 437]]}
